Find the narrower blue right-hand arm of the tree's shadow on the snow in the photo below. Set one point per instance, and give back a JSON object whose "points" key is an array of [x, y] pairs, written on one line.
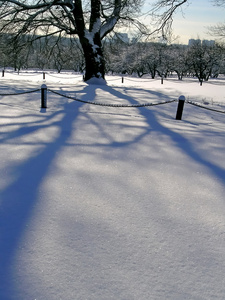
{"points": [[152, 117]]}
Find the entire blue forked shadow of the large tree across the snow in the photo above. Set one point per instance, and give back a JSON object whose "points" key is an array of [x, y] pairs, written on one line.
{"points": [[19, 198]]}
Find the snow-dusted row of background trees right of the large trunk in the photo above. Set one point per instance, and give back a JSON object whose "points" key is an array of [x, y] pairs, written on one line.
{"points": [[200, 60]]}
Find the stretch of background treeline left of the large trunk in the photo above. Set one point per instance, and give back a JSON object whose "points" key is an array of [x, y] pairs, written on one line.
{"points": [[42, 53]]}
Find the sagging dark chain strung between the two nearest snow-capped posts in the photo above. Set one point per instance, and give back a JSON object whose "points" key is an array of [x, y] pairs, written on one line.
{"points": [[112, 105]]}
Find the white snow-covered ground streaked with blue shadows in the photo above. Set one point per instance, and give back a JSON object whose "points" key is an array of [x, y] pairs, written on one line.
{"points": [[104, 203]]}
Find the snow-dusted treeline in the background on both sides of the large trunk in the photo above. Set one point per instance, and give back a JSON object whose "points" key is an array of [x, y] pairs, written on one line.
{"points": [[200, 60]]}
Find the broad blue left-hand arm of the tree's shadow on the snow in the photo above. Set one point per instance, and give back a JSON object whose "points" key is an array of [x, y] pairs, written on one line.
{"points": [[19, 198]]}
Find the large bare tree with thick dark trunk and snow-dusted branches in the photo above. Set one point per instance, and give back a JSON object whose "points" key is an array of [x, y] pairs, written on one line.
{"points": [[90, 20]]}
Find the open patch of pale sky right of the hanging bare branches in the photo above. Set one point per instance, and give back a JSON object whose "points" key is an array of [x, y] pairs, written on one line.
{"points": [[197, 15]]}
